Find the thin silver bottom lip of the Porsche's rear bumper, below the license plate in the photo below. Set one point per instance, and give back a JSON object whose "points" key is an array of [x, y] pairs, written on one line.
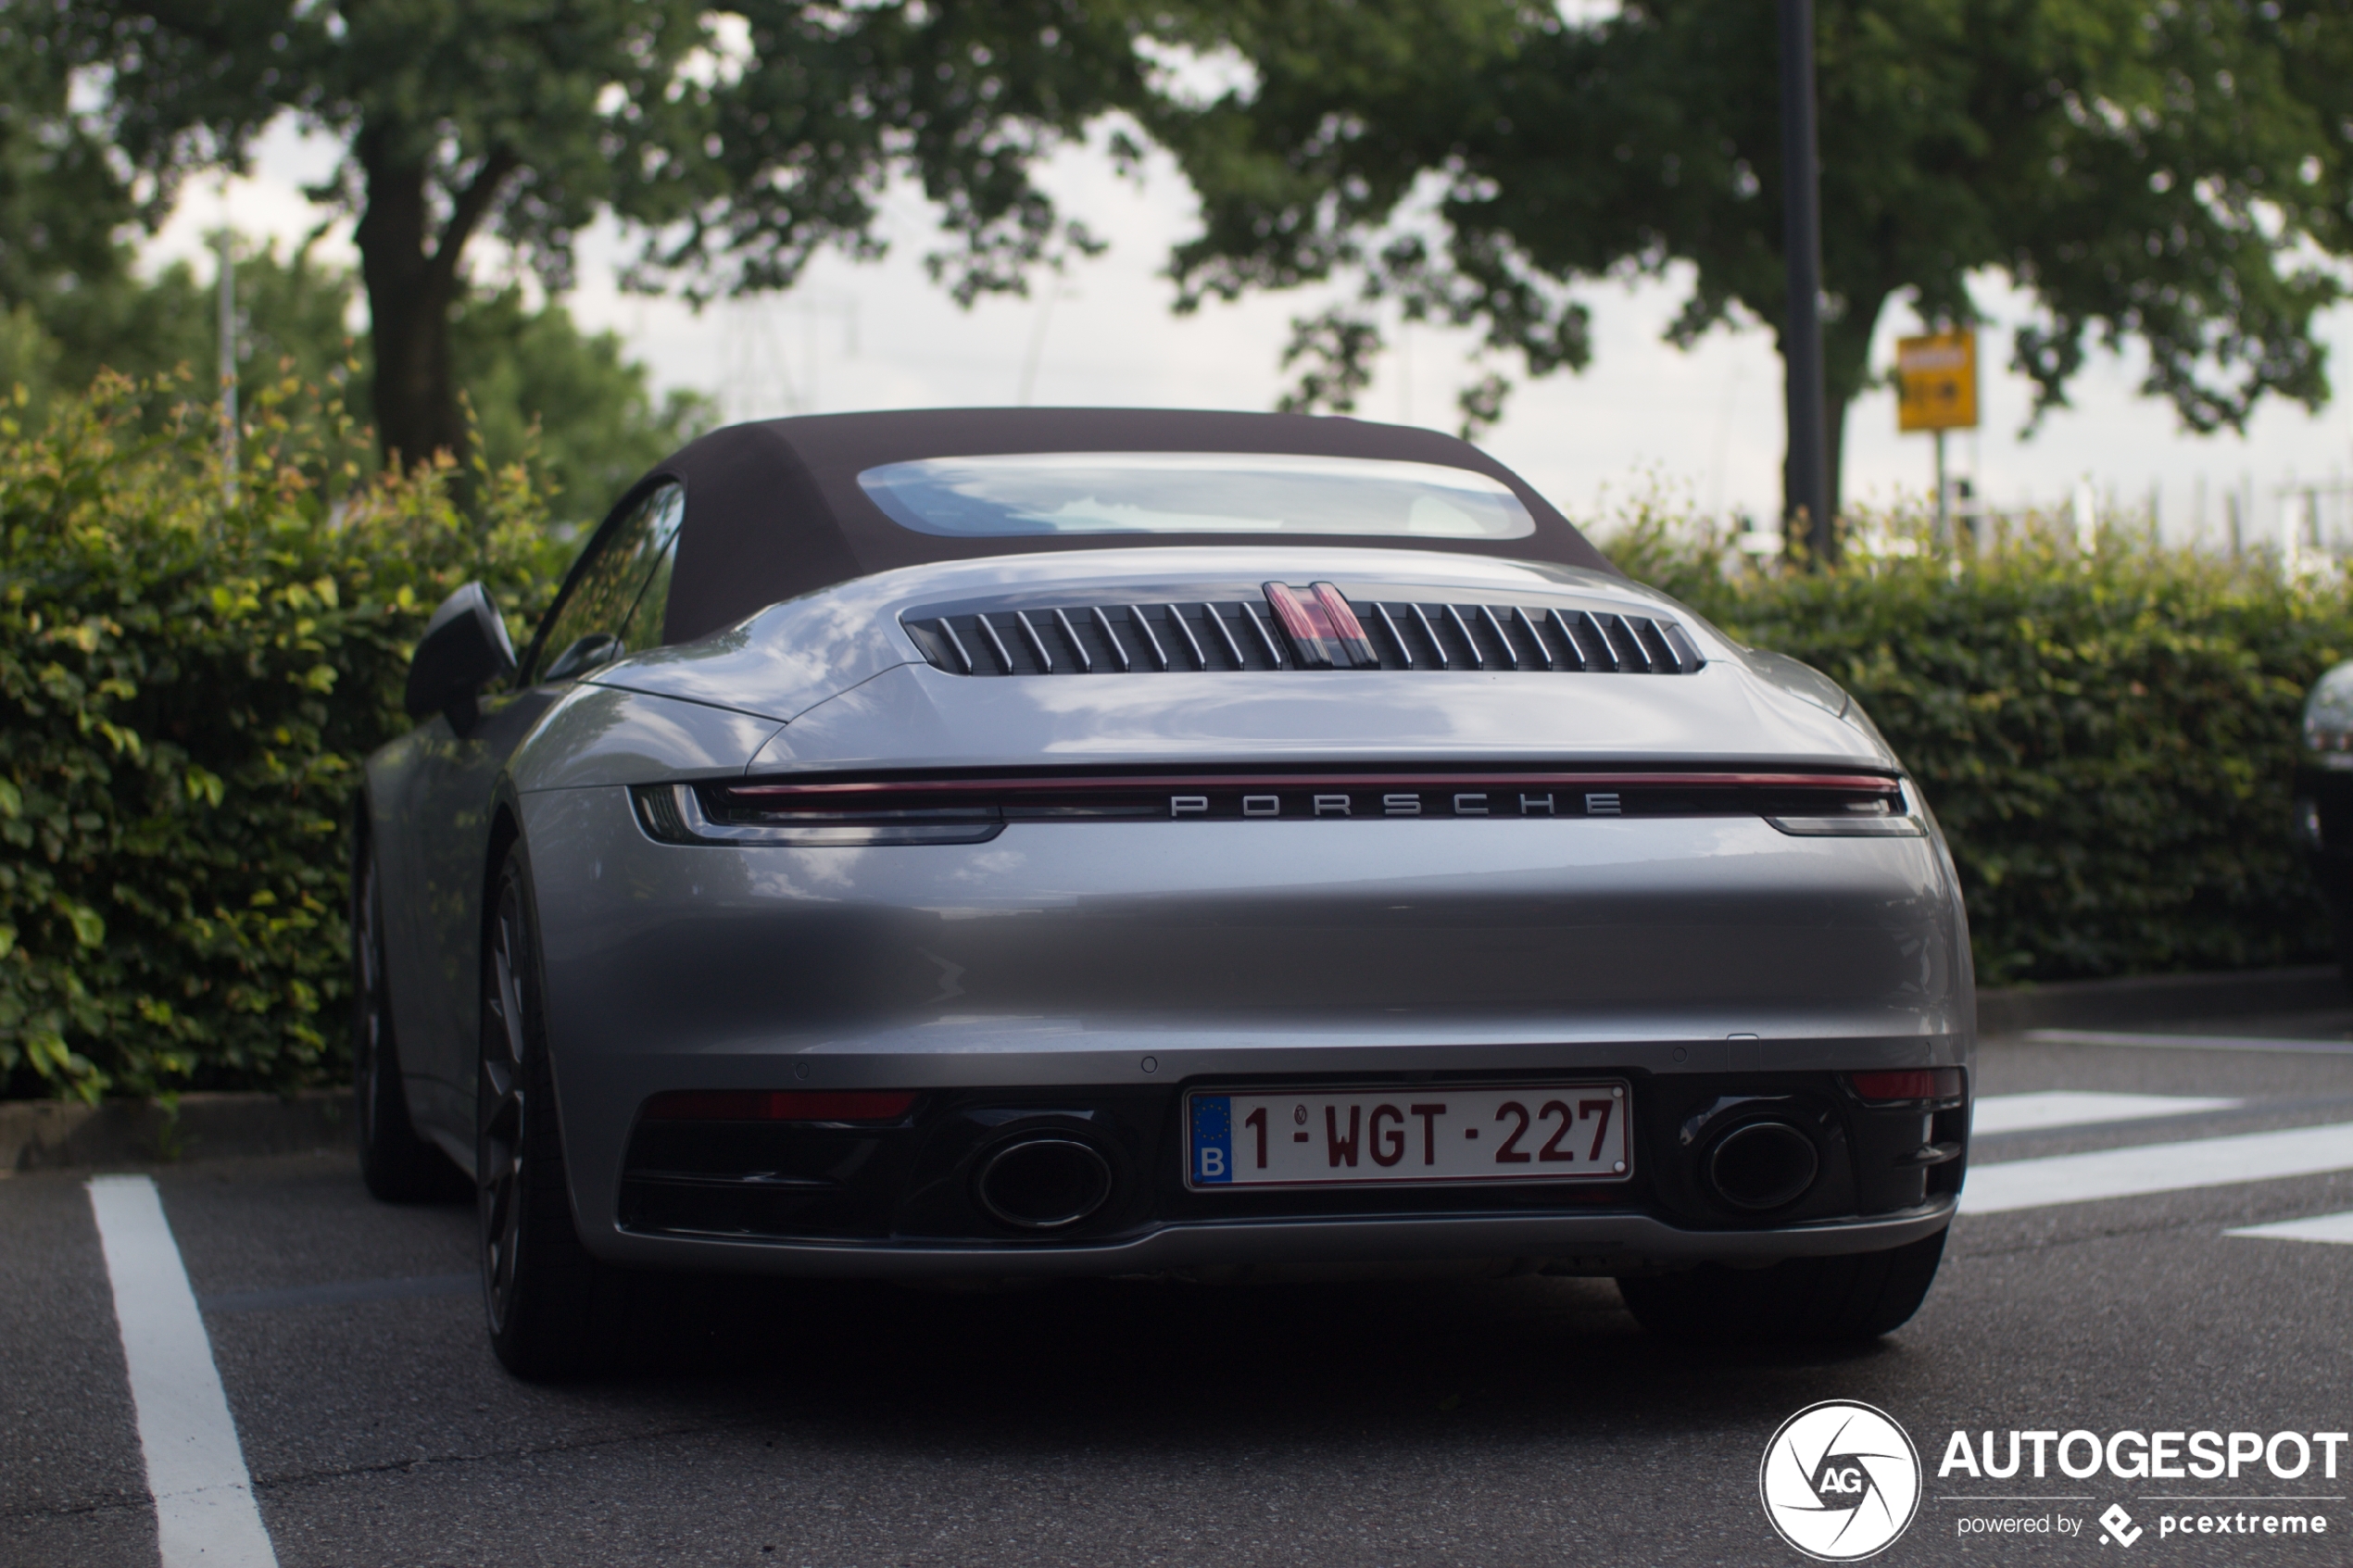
{"points": [[1557, 1245]]}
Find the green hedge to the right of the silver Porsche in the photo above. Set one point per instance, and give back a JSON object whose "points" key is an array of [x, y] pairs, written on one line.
{"points": [[2107, 742]]}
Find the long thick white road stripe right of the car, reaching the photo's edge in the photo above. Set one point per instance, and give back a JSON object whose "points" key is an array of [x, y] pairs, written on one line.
{"points": [[2159, 1167]]}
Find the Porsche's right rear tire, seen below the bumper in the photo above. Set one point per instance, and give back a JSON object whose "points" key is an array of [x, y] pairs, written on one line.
{"points": [[1855, 1296]]}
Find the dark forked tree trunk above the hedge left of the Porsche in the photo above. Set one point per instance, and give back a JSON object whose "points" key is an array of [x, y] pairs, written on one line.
{"points": [[413, 283]]}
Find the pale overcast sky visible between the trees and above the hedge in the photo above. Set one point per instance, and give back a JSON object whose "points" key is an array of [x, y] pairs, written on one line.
{"points": [[1705, 424]]}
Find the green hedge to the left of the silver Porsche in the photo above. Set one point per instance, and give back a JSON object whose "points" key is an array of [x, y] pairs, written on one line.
{"points": [[187, 685]]}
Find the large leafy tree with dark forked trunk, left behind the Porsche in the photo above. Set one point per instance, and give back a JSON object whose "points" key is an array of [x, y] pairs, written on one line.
{"points": [[735, 149]]}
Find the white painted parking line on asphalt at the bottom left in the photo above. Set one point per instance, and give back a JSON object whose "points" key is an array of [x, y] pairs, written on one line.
{"points": [[206, 1513]]}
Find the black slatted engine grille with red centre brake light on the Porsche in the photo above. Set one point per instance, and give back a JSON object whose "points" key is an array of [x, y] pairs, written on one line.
{"points": [[1302, 629]]}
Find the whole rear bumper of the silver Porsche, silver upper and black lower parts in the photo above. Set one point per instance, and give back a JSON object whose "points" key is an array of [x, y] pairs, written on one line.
{"points": [[1081, 977]]}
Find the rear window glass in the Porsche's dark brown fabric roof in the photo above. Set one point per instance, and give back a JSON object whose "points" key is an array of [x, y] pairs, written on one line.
{"points": [[1192, 492]]}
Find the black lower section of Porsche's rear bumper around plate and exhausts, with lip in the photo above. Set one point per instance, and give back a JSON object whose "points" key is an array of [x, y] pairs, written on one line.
{"points": [[907, 1198]]}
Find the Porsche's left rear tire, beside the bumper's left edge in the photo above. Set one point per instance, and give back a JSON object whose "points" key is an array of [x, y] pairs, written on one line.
{"points": [[554, 1311]]}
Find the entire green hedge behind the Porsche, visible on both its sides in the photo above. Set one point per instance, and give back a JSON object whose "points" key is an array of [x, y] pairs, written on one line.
{"points": [[189, 683]]}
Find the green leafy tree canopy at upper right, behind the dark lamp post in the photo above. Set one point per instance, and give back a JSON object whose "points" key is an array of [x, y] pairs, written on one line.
{"points": [[2147, 173]]}
